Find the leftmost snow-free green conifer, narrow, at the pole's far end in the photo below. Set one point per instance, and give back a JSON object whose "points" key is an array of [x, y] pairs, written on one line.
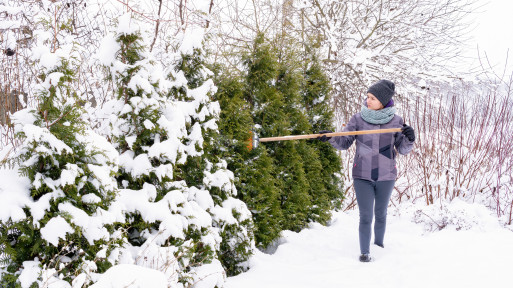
{"points": [[253, 167]]}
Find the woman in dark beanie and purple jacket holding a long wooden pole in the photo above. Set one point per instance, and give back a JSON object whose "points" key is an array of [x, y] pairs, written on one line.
{"points": [[374, 168]]}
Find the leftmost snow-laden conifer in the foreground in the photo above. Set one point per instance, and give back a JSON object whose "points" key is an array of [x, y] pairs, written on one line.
{"points": [[65, 234]]}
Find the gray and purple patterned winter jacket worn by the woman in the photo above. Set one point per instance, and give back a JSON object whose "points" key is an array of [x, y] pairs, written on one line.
{"points": [[375, 153]]}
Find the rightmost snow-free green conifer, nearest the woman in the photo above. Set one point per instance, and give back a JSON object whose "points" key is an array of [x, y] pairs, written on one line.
{"points": [[309, 109]]}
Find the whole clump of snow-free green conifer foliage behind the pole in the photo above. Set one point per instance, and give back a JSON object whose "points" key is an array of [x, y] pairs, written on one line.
{"points": [[290, 183]]}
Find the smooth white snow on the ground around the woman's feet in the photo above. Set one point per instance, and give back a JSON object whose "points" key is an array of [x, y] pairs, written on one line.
{"points": [[327, 257]]}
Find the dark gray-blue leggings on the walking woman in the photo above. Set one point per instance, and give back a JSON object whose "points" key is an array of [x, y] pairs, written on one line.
{"points": [[372, 197]]}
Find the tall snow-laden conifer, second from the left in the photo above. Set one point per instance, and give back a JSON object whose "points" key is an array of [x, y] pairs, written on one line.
{"points": [[165, 221]]}
